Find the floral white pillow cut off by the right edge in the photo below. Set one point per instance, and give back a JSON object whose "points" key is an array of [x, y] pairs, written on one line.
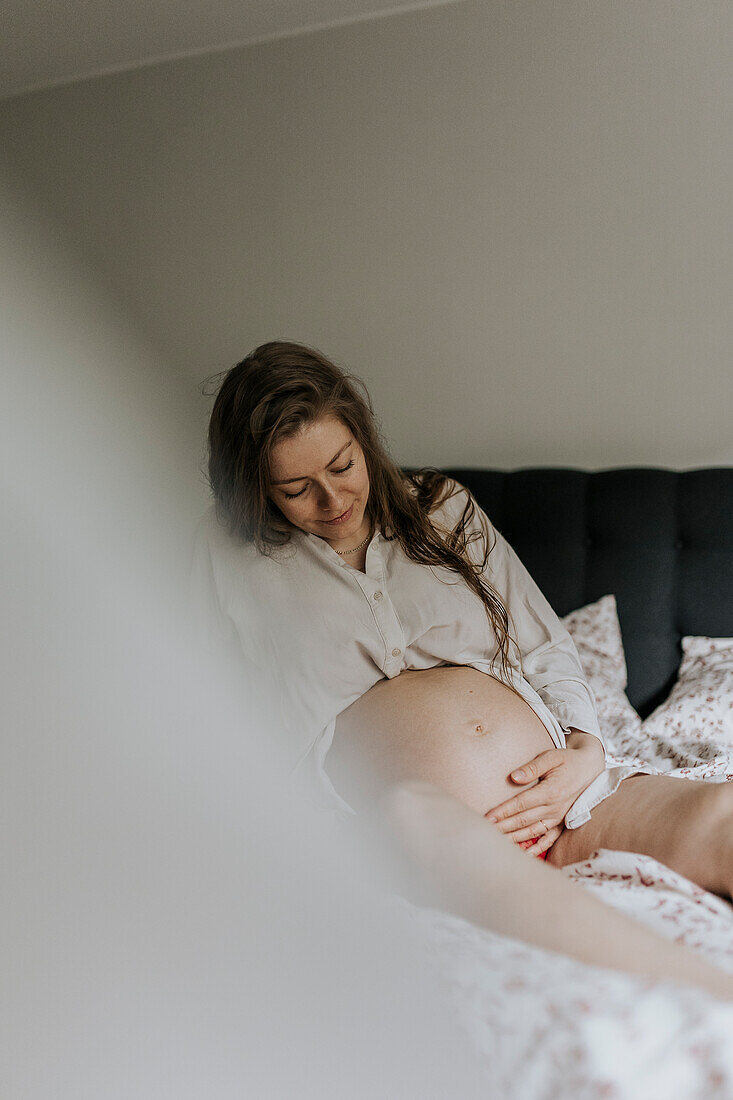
{"points": [[696, 720]]}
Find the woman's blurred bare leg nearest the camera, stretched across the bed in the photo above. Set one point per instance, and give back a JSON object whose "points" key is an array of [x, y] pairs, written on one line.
{"points": [[467, 867]]}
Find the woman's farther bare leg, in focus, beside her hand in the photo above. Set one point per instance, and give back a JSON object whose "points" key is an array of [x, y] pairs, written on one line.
{"points": [[686, 826]]}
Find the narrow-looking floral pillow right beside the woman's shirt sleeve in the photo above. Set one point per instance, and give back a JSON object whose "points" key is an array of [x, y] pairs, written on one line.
{"points": [[597, 635]]}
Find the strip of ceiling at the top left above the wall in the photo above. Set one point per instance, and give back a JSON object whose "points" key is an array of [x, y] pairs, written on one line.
{"points": [[49, 42]]}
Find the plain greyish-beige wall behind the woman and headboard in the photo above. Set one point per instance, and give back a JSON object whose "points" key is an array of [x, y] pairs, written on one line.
{"points": [[512, 219]]}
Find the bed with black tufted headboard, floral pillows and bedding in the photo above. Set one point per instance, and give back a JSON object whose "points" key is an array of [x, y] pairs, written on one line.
{"points": [[639, 564]]}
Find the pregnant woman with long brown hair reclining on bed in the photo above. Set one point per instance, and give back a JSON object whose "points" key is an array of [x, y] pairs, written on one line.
{"points": [[407, 642]]}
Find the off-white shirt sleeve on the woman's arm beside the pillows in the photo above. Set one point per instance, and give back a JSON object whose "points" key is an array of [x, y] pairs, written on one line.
{"points": [[549, 657]]}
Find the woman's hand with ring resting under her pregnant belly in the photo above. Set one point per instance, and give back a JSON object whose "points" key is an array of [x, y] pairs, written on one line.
{"points": [[559, 776]]}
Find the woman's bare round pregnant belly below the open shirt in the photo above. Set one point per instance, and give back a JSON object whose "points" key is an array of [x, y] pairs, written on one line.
{"points": [[454, 727]]}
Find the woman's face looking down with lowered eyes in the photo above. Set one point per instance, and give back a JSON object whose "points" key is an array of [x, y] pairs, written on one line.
{"points": [[320, 476]]}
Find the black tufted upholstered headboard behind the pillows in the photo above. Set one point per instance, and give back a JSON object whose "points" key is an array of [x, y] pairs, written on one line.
{"points": [[660, 541]]}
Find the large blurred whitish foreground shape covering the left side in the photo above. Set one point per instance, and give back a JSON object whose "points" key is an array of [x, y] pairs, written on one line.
{"points": [[176, 922]]}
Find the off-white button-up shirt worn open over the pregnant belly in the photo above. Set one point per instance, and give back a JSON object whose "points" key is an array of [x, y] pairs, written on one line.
{"points": [[324, 633]]}
